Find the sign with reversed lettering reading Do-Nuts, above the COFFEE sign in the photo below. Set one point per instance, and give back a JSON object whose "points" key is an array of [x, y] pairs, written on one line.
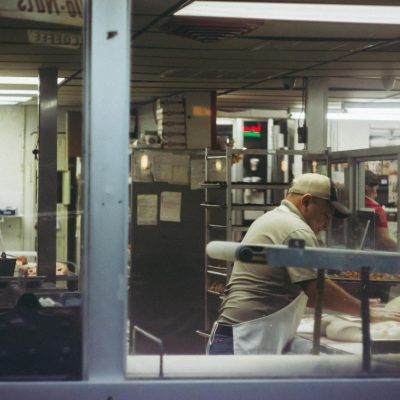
{"points": [[65, 12]]}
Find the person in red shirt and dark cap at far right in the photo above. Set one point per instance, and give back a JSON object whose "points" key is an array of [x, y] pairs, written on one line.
{"points": [[383, 241]]}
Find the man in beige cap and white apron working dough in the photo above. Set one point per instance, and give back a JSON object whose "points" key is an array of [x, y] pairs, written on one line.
{"points": [[263, 305]]}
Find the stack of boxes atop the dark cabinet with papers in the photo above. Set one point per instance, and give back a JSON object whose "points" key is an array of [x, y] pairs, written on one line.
{"points": [[171, 125]]}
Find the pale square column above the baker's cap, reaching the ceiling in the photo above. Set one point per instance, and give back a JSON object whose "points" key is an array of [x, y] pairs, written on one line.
{"points": [[316, 106]]}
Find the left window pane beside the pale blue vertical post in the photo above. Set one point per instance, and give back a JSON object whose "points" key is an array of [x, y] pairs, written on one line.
{"points": [[41, 199]]}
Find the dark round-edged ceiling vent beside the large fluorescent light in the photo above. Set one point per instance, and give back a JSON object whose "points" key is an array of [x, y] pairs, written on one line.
{"points": [[210, 29]]}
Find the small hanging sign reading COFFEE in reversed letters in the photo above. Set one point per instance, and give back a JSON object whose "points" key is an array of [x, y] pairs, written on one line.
{"points": [[55, 38]]}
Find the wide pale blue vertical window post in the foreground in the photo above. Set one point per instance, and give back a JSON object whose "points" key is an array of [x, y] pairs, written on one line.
{"points": [[106, 167]]}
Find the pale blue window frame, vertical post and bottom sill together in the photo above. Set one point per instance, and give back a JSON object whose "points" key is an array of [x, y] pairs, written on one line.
{"points": [[104, 298]]}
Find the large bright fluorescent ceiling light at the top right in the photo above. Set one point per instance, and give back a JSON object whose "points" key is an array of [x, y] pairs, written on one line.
{"points": [[294, 12]]}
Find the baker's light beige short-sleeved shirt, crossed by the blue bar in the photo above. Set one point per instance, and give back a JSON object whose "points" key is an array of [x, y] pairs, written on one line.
{"points": [[257, 290]]}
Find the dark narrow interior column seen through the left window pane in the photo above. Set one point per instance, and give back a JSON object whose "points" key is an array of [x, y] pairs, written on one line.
{"points": [[47, 193]]}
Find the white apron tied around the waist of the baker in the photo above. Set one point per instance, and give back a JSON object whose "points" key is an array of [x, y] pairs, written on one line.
{"points": [[269, 334]]}
